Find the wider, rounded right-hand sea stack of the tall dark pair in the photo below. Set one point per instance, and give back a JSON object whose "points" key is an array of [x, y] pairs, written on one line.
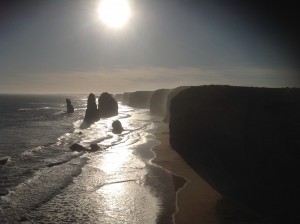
{"points": [[107, 105]]}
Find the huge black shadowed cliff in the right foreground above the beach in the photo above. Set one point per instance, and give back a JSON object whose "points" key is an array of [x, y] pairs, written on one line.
{"points": [[244, 141]]}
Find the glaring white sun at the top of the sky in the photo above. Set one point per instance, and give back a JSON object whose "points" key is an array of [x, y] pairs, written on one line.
{"points": [[114, 13]]}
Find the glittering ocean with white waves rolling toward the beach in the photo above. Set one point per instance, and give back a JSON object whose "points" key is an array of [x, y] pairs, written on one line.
{"points": [[43, 181]]}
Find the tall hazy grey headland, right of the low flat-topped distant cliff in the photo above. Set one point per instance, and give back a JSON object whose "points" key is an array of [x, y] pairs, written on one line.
{"points": [[158, 102]]}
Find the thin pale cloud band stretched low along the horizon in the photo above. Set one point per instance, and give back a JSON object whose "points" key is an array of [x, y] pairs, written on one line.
{"points": [[120, 79]]}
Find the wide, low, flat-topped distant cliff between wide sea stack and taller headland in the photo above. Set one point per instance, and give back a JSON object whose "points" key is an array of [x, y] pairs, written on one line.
{"points": [[140, 99]]}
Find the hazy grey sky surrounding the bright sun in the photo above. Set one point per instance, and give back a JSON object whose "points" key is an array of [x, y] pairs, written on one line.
{"points": [[61, 46]]}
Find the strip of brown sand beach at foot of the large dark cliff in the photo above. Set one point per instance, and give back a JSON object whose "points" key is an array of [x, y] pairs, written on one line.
{"points": [[196, 201]]}
